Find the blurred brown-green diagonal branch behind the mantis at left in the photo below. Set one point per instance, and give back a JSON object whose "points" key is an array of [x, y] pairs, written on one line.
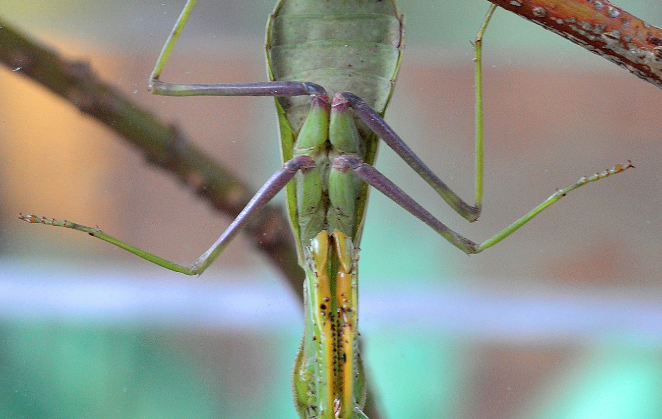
{"points": [[163, 146]]}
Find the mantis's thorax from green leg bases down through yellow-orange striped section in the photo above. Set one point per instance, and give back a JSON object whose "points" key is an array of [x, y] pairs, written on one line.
{"points": [[327, 367]]}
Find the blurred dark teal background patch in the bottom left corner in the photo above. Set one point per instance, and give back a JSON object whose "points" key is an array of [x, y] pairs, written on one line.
{"points": [[55, 370]]}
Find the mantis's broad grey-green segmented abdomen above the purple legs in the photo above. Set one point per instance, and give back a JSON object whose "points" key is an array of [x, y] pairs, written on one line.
{"points": [[341, 45]]}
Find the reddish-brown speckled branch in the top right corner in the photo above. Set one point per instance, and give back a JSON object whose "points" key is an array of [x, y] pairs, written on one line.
{"points": [[601, 28]]}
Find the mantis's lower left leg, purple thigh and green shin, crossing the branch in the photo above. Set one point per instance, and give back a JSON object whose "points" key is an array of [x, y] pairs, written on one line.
{"points": [[275, 183]]}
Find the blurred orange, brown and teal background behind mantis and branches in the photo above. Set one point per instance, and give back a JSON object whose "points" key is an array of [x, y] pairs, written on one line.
{"points": [[561, 320]]}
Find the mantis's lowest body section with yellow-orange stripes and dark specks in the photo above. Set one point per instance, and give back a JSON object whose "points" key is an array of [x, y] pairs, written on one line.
{"points": [[328, 379]]}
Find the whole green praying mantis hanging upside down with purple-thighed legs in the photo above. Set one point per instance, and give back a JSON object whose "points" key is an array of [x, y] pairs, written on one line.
{"points": [[350, 49]]}
